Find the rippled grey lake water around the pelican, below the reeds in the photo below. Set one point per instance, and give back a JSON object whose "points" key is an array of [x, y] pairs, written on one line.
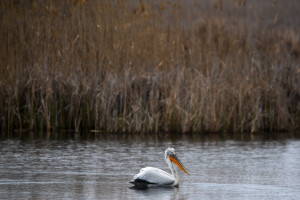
{"points": [[98, 166]]}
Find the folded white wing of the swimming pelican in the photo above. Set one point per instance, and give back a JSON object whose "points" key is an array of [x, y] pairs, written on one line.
{"points": [[155, 176]]}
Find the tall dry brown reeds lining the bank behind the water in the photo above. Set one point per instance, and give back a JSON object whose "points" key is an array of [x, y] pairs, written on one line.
{"points": [[144, 67]]}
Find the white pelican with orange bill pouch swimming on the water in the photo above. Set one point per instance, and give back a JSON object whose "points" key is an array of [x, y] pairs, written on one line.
{"points": [[157, 177]]}
